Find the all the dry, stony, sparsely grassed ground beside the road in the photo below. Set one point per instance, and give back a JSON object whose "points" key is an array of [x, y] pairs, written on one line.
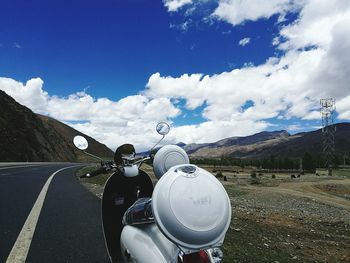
{"points": [[280, 219]]}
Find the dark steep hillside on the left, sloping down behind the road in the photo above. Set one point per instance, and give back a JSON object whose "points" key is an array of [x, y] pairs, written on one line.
{"points": [[26, 136]]}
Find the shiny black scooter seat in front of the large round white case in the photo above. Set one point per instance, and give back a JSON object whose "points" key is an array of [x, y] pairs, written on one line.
{"points": [[139, 213]]}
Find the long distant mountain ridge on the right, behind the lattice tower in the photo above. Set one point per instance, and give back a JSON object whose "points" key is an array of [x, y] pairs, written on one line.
{"points": [[264, 144]]}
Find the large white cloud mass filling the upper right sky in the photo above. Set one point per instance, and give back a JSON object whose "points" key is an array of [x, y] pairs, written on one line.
{"points": [[314, 65]]}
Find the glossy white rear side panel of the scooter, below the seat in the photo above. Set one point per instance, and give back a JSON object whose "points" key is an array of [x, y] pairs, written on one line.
{"points": [[146, 244]]}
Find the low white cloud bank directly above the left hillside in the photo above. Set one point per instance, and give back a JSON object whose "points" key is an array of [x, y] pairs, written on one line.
{"points": [[130, 119]]}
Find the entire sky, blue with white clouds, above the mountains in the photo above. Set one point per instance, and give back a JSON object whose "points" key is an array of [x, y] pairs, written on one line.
{"points": [[211, 68]]}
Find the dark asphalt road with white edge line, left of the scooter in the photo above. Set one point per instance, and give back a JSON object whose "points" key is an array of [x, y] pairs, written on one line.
{"points": [[47, 216]]}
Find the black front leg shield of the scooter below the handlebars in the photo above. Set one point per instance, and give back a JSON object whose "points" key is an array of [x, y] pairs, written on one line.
{"points": [[119, 194]]}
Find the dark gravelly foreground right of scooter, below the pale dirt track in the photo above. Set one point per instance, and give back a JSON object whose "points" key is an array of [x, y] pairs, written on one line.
{"points": [[275, 227]]}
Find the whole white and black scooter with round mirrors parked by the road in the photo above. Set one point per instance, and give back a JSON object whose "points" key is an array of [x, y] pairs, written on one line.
{"points": [[183, 219]]}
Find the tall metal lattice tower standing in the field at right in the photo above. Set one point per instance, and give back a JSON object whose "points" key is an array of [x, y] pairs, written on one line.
{"points": [[328, 130]]}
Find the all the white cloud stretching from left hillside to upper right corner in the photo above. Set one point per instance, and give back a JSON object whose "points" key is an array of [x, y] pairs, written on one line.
{"points": [[314, 64]]}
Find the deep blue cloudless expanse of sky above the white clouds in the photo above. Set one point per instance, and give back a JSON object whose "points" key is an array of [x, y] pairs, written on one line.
{"points": [[113, 47]]}
